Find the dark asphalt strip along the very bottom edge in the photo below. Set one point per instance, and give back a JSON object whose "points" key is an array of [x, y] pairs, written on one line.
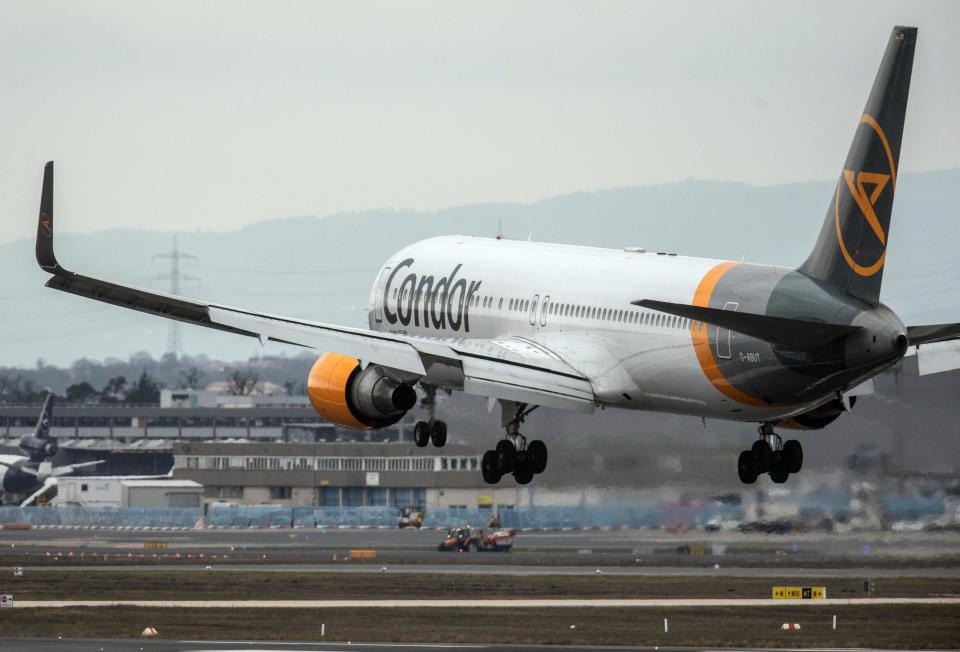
{"points": [[154, 645]]}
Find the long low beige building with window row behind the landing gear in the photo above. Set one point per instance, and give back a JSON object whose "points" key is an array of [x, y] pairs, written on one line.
{"points": [[340, 474]]}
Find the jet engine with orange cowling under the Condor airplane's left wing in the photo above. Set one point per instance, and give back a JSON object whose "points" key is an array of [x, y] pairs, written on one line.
{"points": [[347, 395]]}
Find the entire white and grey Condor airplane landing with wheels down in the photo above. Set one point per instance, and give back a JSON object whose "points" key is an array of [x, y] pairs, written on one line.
{"points": [[532, 324]]}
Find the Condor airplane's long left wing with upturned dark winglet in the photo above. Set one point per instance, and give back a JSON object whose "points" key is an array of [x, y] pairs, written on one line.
{"points": [[509, 369]]}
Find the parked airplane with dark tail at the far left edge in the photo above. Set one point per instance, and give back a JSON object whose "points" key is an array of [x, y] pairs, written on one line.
{"points": [[24, 475]]}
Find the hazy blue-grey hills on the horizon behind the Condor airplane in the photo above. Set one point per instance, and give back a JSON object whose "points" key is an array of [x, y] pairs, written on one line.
{"points": [[322, 267]]}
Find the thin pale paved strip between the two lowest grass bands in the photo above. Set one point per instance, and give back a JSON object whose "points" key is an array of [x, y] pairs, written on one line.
{"points": [[473, 604]]}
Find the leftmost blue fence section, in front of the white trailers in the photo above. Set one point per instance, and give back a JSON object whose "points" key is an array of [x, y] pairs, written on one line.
{"points": [[103, 517]]}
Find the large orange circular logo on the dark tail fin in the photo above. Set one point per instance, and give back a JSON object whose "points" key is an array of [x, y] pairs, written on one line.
{"points": [[865, 189]]}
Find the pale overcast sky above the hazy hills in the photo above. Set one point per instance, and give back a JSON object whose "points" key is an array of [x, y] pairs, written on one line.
{"points": [[212, 115]]}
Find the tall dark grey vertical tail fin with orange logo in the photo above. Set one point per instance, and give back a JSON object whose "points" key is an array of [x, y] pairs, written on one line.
{"points": [[851, 250]]}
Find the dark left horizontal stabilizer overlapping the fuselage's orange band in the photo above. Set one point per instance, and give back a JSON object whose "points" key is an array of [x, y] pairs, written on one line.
{"points": [[795, 334]]}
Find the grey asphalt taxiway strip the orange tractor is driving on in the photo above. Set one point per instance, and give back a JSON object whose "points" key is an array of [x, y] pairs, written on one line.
{"points": [[420, 545]]}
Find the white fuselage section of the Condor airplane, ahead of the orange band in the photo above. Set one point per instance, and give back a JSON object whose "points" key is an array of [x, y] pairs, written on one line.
{"points": [[574, 301]]}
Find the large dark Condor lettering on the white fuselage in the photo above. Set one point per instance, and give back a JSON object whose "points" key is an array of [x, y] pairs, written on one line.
{"points": [[438, 302]]}
